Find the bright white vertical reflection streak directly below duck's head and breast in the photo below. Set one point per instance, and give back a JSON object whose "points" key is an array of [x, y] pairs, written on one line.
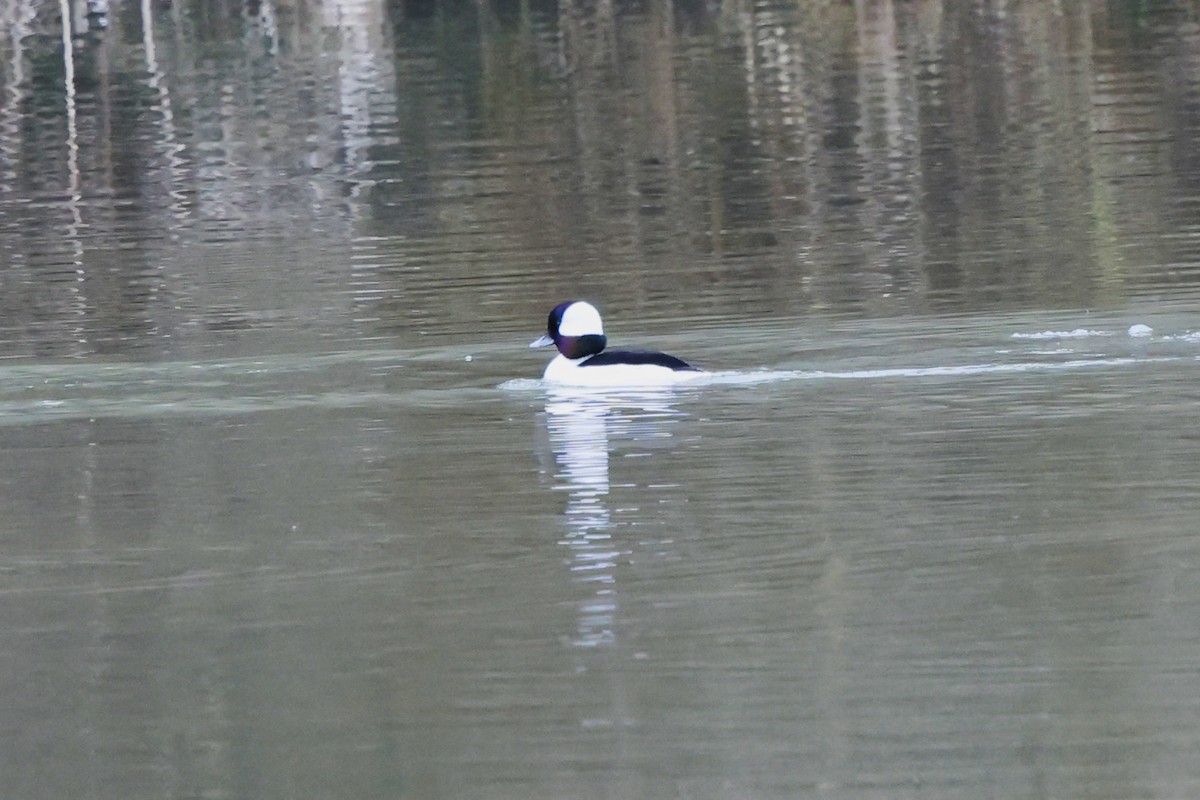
{"points": [[579, 435]]}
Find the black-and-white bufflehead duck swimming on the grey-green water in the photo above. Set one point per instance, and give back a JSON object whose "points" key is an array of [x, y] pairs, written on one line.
{"points": [[577, 330]]}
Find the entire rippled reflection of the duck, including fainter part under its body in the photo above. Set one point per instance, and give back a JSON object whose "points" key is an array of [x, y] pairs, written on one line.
{"points": [[581, 425]]}
